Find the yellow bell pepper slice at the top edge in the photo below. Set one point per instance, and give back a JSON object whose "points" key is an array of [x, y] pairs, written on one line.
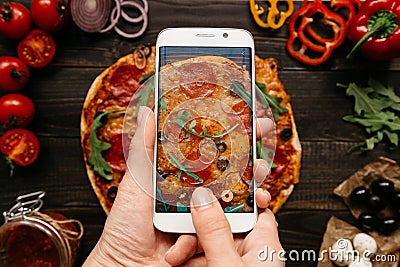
{"points": [[275, 18]]}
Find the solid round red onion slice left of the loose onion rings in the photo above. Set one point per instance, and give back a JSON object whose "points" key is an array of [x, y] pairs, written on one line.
{"points": [[90, 15]]}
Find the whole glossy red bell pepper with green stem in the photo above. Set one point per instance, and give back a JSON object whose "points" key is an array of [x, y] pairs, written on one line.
{"points": [[375, 30]]}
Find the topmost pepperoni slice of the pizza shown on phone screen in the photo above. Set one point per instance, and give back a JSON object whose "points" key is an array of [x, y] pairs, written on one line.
{"points": [[197, 79]]}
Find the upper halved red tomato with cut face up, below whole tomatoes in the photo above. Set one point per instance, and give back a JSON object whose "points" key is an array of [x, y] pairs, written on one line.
{"points": [[37, 49]]}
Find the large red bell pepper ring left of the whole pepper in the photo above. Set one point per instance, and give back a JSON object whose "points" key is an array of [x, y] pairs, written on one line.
{"points": [[324, 49]]}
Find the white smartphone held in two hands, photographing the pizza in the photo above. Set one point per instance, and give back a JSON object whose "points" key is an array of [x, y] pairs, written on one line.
{"points": [[205, 121]]}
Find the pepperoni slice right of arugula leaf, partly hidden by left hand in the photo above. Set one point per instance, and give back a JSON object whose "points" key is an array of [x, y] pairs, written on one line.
{"points": [[115, 155]]}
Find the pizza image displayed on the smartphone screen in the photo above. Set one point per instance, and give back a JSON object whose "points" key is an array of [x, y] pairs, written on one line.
{"points": [[205, 130]]}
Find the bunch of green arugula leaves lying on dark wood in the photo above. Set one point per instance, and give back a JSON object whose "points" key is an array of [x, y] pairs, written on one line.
{"points": [[377, 109]]}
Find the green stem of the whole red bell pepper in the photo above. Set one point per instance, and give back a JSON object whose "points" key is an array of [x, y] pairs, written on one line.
{"points": [[381, 25]]}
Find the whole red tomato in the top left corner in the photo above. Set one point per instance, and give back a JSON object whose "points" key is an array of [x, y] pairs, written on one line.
{"points": [[15, 21]]}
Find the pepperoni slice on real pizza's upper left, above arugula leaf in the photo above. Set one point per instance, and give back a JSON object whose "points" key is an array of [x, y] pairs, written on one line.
{"points": [[124, 81]]}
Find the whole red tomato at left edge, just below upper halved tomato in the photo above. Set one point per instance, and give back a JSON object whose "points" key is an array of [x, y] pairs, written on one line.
{"points": [[14, 74]]}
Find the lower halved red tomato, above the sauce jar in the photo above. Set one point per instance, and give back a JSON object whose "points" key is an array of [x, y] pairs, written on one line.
{"points": [[20, 145]]}
